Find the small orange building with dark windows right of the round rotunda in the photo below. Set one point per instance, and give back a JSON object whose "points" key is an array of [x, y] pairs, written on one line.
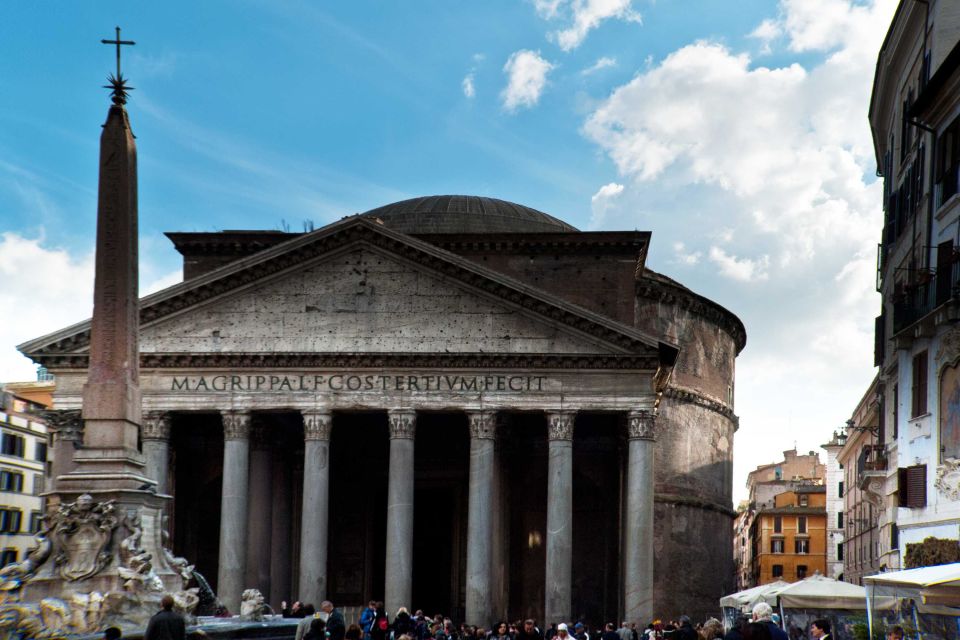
{"points": [[789, 538]]}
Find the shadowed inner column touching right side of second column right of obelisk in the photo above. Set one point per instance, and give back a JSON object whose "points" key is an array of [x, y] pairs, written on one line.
{"points": [[259, 511]]}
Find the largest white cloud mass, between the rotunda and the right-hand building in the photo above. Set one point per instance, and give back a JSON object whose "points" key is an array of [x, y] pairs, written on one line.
{"points": [[780, 159]]}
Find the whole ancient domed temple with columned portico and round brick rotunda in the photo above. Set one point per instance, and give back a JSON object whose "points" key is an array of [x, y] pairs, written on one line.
{"points": [[451, 403]]}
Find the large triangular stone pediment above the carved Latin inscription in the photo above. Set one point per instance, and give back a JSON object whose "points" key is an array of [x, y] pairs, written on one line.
{"points": [[355, 287]]}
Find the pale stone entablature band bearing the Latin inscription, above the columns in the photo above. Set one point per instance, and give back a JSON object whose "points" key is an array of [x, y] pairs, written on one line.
{"points": [[434, 389]]}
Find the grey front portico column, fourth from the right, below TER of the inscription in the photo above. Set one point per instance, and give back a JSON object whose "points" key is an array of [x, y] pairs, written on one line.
{"points": [[398, 589]]}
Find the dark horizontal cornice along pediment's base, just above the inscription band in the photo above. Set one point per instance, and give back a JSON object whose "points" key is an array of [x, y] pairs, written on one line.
{"points": [[360, 360]]}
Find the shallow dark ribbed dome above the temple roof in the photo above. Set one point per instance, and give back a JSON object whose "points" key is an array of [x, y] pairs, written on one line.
{"points": [[465, 214]]}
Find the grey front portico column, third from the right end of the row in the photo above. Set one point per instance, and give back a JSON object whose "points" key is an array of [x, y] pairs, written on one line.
{"points": [[480, 517]]}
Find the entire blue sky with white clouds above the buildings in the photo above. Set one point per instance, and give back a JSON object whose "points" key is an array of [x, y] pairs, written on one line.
{"points": [[737, 136]]}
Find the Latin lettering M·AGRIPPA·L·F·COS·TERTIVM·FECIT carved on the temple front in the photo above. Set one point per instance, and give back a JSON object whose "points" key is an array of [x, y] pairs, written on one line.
{"points": [[358, 382]]}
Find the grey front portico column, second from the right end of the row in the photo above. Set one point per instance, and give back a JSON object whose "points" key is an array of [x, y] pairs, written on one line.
{"points": [[559, 517]]}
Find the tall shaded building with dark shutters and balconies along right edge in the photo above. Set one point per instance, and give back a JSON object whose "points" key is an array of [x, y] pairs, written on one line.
{"points": [[914, 464]]}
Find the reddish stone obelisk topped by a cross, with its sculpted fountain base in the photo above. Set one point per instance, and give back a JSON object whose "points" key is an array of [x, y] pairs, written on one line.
{"points": [[104, 515]]}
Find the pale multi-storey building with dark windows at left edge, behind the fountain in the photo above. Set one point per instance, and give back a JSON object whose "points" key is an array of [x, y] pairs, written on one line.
{"points": [[23, 466]]}
